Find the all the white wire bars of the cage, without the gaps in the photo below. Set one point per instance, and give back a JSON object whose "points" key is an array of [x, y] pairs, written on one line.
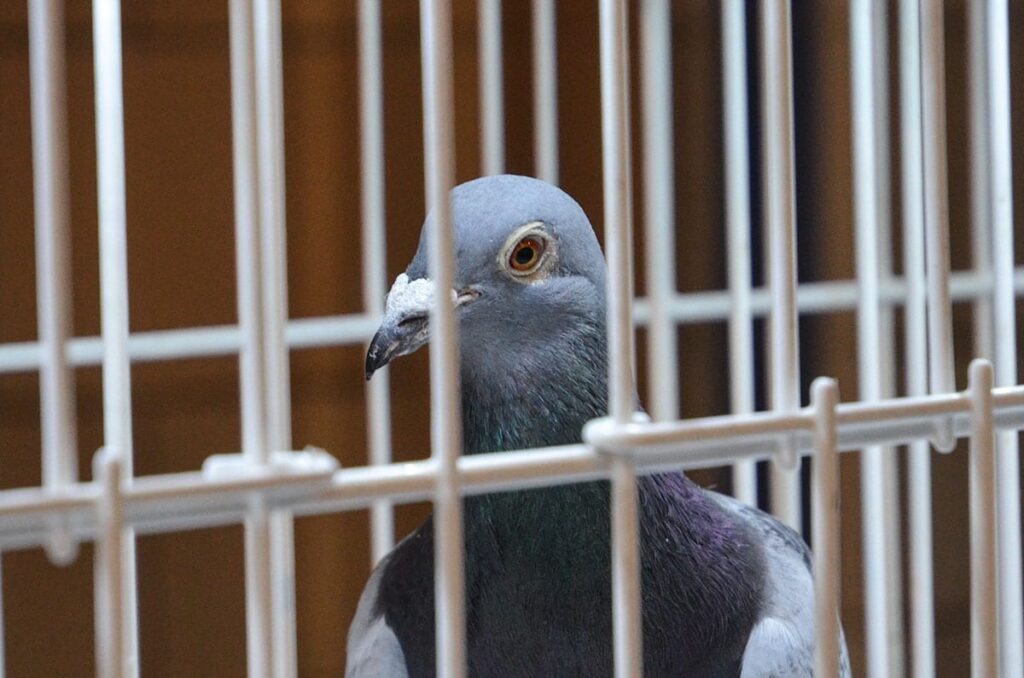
{"points": [[270, 483]]}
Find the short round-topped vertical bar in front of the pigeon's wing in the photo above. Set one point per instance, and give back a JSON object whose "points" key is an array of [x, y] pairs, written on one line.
{"points": [[826, 527]]}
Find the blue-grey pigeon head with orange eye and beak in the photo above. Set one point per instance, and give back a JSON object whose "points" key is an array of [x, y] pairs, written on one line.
{"points": [[530, 275]]}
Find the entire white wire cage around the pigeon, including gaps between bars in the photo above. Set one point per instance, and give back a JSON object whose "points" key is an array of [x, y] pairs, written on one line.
{"points": [[826, 189]]}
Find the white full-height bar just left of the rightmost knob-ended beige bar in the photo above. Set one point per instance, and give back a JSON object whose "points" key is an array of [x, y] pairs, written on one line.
{"points": [[915, 321]]}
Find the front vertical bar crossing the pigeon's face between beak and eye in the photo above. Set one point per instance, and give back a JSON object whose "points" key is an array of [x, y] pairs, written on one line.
{"points": [[446, 434]]}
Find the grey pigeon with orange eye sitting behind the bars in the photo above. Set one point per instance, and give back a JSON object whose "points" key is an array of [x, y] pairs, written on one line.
{"points": [[727, 589]]}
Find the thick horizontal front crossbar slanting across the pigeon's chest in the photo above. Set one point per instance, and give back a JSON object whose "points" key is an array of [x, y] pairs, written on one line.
{"points": [[183, 501]]}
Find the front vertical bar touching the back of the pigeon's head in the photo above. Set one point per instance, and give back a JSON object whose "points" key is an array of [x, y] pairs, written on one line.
{"points": [[619, 242]]}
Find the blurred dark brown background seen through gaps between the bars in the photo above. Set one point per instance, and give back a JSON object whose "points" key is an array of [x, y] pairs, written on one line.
{"points": [[182, 269]]}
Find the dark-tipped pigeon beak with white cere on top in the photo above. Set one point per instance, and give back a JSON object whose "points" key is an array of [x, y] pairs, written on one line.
{"points": [[407, 321]]}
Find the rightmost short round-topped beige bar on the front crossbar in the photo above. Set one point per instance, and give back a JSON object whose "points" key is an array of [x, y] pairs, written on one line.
{"points": [[985, 570]]}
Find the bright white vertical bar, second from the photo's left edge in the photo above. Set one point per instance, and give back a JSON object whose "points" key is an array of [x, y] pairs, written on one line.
{"points": [[114, 301]]}
